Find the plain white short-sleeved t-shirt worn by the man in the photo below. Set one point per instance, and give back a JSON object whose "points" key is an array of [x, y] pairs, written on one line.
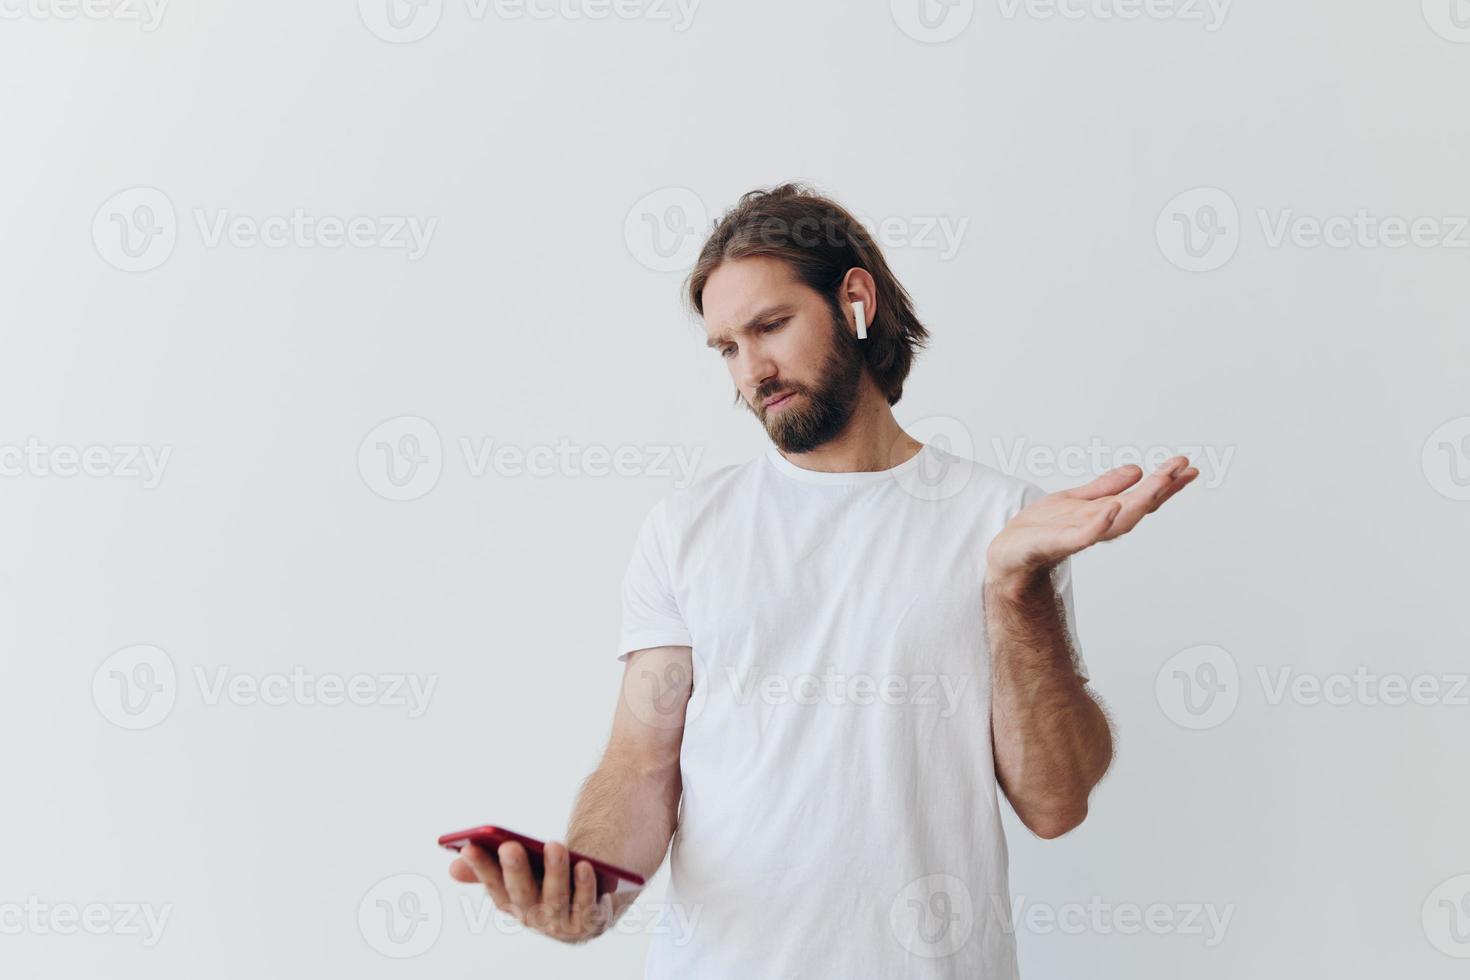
{"points": [[840, 812]]}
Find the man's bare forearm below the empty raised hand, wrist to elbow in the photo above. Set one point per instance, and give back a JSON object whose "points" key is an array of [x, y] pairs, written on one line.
{"points": [[1052, 738]]}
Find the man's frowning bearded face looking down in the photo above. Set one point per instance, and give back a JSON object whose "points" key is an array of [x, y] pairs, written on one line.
{"points": [[797, 367]]}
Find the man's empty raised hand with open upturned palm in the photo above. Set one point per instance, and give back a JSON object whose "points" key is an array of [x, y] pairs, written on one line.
{"points": [[1066, 522]]}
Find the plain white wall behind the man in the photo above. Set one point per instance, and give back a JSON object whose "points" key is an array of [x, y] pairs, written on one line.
{"points": [[1064, 151]]}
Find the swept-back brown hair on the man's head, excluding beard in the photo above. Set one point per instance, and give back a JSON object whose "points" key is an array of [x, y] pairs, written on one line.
{"points": [[821, 242]]}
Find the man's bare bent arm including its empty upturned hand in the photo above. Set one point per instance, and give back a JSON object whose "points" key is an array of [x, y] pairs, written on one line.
{"points": [[1053, 741]]}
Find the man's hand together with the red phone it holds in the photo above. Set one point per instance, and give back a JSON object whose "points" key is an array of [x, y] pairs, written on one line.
{"points": [[549, 888]]}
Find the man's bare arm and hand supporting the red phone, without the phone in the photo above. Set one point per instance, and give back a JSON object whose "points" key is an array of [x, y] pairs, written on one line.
{"points": [[625, 813]]}
